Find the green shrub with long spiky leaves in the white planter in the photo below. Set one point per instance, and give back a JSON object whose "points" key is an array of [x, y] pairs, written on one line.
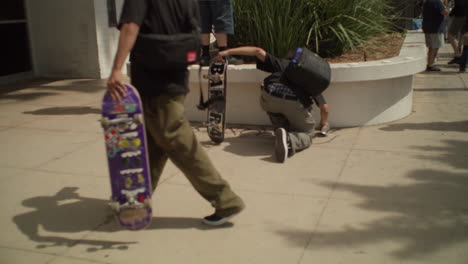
{"points": [[328, 27]]}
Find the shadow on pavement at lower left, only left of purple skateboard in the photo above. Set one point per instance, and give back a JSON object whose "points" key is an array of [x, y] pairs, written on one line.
{"points": [[65, 212]]}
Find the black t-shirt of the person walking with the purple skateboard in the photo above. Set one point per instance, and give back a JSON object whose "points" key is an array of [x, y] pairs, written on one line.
{"points": [[159, 17]]}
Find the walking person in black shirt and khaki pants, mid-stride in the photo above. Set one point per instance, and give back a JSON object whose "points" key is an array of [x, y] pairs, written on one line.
{"points": [[163, 92]]}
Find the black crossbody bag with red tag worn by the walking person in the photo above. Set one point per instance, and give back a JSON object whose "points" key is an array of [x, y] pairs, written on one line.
{"points": [[169, 52]]}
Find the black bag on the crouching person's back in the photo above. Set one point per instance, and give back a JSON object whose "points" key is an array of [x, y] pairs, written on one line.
{"points": [[307, 72]]}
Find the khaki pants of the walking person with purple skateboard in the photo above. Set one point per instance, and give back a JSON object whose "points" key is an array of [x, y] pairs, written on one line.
{"points": [[170, 136]]}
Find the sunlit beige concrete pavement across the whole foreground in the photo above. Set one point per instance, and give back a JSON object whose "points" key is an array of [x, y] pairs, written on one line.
{"points": [[393, 193]]}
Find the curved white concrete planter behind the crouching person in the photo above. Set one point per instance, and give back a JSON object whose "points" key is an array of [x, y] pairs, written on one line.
{"points": [[364, 93]]}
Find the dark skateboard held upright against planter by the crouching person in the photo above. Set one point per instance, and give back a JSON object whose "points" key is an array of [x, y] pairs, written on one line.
{"points": [[216, 114]]}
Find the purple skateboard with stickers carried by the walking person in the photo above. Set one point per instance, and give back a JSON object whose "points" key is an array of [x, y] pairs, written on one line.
{"points": [[127, 157]]}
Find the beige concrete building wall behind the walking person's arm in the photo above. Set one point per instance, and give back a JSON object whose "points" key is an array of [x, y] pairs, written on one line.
{"points": [[70, 38]]}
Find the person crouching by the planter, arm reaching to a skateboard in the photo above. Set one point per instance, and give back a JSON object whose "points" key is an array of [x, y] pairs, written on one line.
{"points": [[289, 112]]}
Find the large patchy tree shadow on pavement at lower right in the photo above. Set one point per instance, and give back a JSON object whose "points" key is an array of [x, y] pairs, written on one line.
{"points": [[422, 217]]}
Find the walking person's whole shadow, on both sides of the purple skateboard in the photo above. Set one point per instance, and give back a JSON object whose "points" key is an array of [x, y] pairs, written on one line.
{"points": [[67, 213]]}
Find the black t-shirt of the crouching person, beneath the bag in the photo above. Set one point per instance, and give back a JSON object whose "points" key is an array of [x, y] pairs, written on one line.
{"points": [[276, 67]]}
